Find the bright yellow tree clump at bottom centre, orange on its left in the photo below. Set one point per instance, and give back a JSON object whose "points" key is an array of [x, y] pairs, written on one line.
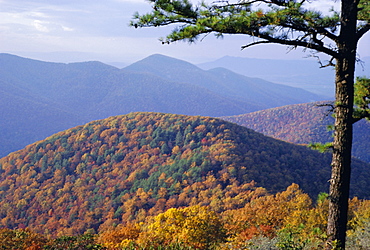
{"points": [[193, 226]]}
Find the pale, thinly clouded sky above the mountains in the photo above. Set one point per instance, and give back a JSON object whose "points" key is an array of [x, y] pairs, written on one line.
{"points": [[98, 30]]}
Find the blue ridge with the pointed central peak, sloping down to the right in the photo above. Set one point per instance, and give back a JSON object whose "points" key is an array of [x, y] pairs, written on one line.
{"points": [[224, 82]]}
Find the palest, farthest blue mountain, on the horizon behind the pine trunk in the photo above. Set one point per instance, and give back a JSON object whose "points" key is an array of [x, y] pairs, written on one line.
{"points": [[306, 74]]}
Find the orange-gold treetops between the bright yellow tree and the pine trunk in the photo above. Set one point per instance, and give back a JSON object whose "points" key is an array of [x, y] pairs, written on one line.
{"points": [[266, 215]]}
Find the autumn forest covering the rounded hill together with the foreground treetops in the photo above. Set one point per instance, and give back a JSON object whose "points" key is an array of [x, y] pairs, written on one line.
{"points": [[154, 180]]}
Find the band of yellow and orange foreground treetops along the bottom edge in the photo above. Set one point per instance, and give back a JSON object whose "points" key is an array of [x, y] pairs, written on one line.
{"points": [[286, 220]]}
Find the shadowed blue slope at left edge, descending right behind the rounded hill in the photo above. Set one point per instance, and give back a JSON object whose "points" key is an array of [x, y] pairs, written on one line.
{"points": [[26, 118]]}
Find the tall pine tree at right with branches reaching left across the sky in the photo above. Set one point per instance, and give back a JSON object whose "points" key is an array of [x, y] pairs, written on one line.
{"points": [[291, 23]]}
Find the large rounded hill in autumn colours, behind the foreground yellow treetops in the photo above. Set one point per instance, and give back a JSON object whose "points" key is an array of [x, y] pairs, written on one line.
{"points": [[125, 168]]}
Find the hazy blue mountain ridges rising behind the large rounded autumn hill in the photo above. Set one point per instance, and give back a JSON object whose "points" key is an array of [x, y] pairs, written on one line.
{"points": [[41, 98]]}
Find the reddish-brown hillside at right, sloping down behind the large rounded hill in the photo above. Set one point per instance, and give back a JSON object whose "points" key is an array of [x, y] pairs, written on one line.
{"points": [[304, 124]]}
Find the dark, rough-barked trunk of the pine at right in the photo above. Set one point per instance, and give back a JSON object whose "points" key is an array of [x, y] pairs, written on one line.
{"points": [[342, 145]]}
